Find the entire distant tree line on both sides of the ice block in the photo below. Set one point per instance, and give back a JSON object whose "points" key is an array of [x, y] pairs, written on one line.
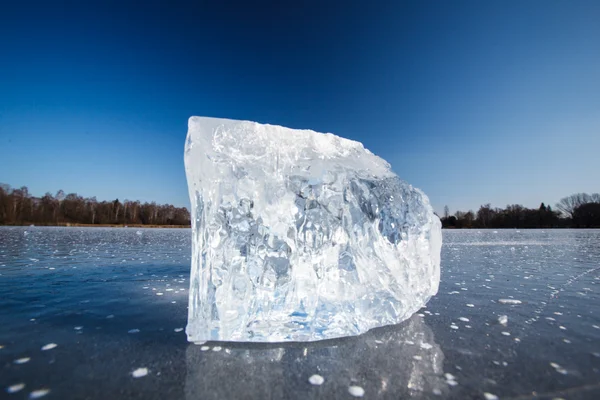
{"points": [[18, 207]]}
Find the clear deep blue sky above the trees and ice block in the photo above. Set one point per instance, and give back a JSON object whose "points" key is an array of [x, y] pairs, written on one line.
{"points": [[473, 102]]}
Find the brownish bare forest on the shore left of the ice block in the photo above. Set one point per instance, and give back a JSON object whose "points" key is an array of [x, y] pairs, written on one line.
{"points": [[18, 207]]}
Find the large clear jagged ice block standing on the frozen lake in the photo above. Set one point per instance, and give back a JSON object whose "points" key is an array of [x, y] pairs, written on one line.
{"points": [[301, 236]]}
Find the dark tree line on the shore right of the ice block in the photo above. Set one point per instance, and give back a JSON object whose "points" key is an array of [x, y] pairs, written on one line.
{"points": [[579, 210]]}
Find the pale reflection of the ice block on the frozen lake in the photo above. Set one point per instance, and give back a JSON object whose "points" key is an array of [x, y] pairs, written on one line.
{"points": [[395, 361]]}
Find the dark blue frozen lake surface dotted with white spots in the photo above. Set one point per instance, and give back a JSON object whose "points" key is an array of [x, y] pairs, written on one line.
{"points": [[98, 313]]}
